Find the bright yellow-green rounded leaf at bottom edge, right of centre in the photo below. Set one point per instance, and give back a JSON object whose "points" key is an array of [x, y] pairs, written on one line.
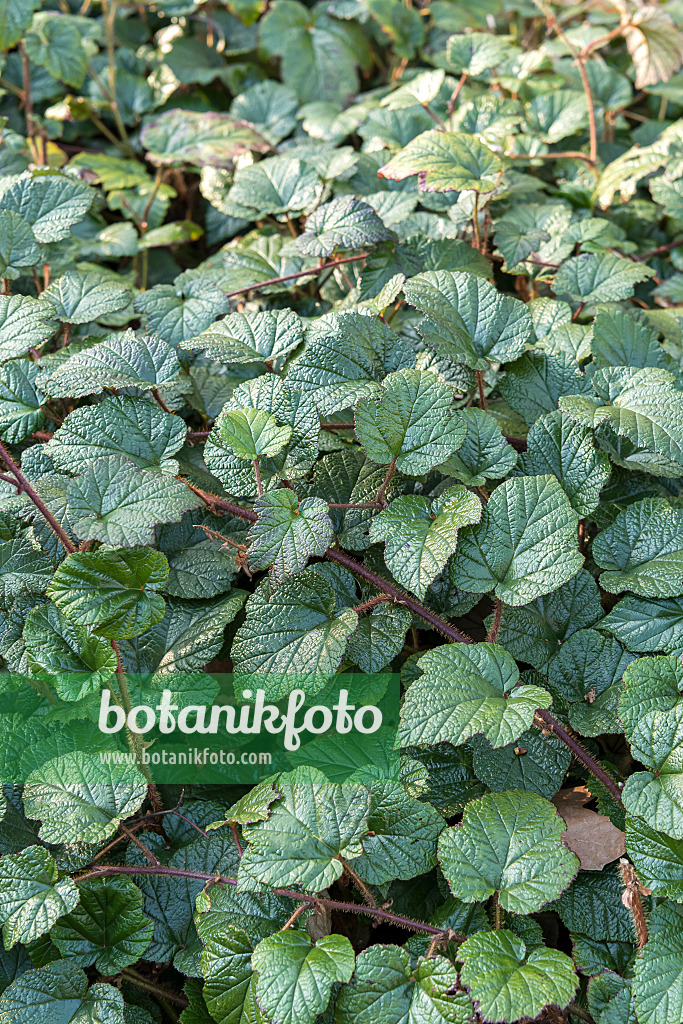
{"points": [[505, 984]]}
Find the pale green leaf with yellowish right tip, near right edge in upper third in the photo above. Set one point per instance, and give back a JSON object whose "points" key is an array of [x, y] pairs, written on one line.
{"points": [[595, 278]]}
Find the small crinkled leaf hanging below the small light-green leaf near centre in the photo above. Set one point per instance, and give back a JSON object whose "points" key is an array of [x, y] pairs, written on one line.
{"points": [[288, 533]]}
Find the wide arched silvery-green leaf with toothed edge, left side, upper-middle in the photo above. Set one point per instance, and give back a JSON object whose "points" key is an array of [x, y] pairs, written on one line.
{"points": [[123, 360]]}
